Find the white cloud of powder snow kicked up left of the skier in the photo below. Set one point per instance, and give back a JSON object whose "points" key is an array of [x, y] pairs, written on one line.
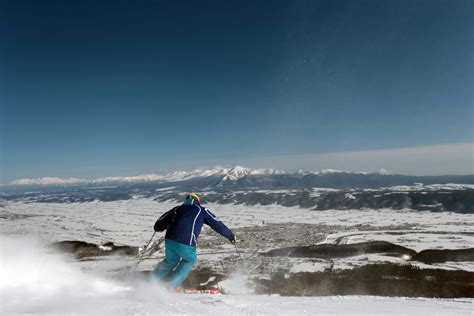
{"points": [[36, 279]]}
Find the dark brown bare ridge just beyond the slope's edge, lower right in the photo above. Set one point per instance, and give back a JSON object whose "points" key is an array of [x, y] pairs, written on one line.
{"points": [[377, 279]]}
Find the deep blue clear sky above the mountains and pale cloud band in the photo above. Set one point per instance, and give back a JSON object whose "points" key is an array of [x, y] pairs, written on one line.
{"points": [[97, 88]]}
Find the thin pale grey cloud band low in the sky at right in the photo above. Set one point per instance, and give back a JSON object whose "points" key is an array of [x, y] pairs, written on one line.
{"points": [[424, 160]]}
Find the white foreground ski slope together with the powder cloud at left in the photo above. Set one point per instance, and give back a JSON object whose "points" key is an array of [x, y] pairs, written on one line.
{"points": [[36, 281]]}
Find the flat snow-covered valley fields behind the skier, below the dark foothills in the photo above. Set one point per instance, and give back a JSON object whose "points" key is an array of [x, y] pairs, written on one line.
{"points": [[130, 222]]}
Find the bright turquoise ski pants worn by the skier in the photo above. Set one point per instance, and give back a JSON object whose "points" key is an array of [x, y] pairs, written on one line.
{"points": [[179, 260]]}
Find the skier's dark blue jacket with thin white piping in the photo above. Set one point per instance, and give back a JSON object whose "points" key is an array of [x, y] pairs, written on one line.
{"points": [[184, 223]]}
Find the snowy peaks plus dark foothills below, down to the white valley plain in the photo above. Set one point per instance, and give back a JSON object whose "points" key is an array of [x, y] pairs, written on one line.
{"points": [[322, 190]]}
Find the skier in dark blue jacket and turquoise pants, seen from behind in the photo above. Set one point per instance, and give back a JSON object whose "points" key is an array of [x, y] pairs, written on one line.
{"points": [[183, 224]]}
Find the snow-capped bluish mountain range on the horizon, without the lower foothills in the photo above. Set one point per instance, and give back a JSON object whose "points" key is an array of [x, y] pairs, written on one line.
{"points": [[245, 178]]}
